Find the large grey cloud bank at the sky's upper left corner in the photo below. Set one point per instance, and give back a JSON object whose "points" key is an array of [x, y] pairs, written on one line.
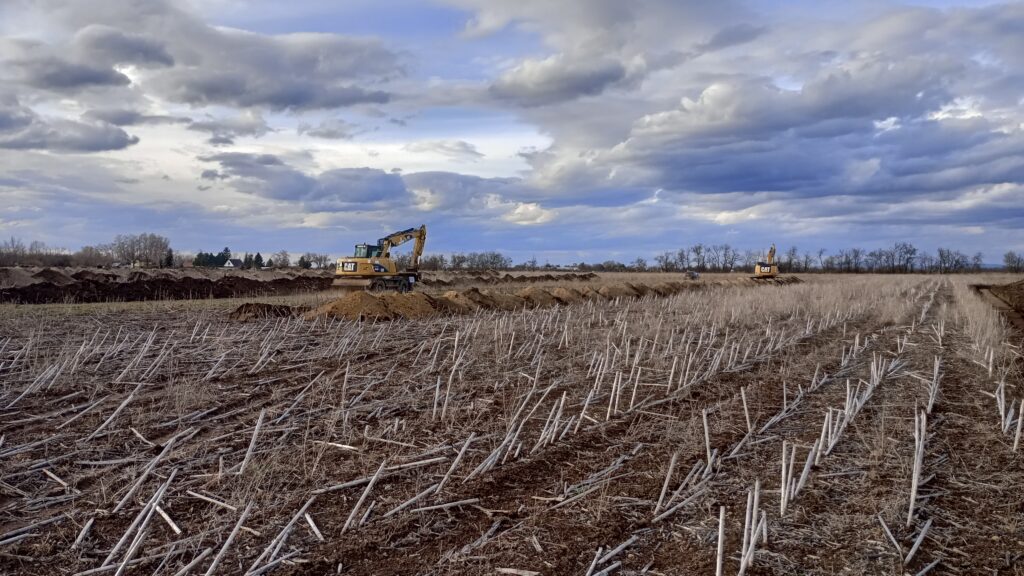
{"points": [[185, 60]]}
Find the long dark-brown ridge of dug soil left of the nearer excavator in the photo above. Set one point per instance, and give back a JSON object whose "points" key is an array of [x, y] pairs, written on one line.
{"points": [[36, 286]]}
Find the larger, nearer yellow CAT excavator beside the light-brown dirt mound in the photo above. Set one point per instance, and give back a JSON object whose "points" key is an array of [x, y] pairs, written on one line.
{"points": [[372, 268]]}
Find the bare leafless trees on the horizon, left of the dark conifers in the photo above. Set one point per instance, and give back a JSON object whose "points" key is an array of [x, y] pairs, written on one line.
{"points": [[146, 250]]}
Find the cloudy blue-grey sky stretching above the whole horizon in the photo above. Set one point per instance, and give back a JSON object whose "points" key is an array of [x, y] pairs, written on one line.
{"points": [[570, 131]]}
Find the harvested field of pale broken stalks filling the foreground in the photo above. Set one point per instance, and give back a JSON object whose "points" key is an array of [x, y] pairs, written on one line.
{"points": [[852, 425]]}
